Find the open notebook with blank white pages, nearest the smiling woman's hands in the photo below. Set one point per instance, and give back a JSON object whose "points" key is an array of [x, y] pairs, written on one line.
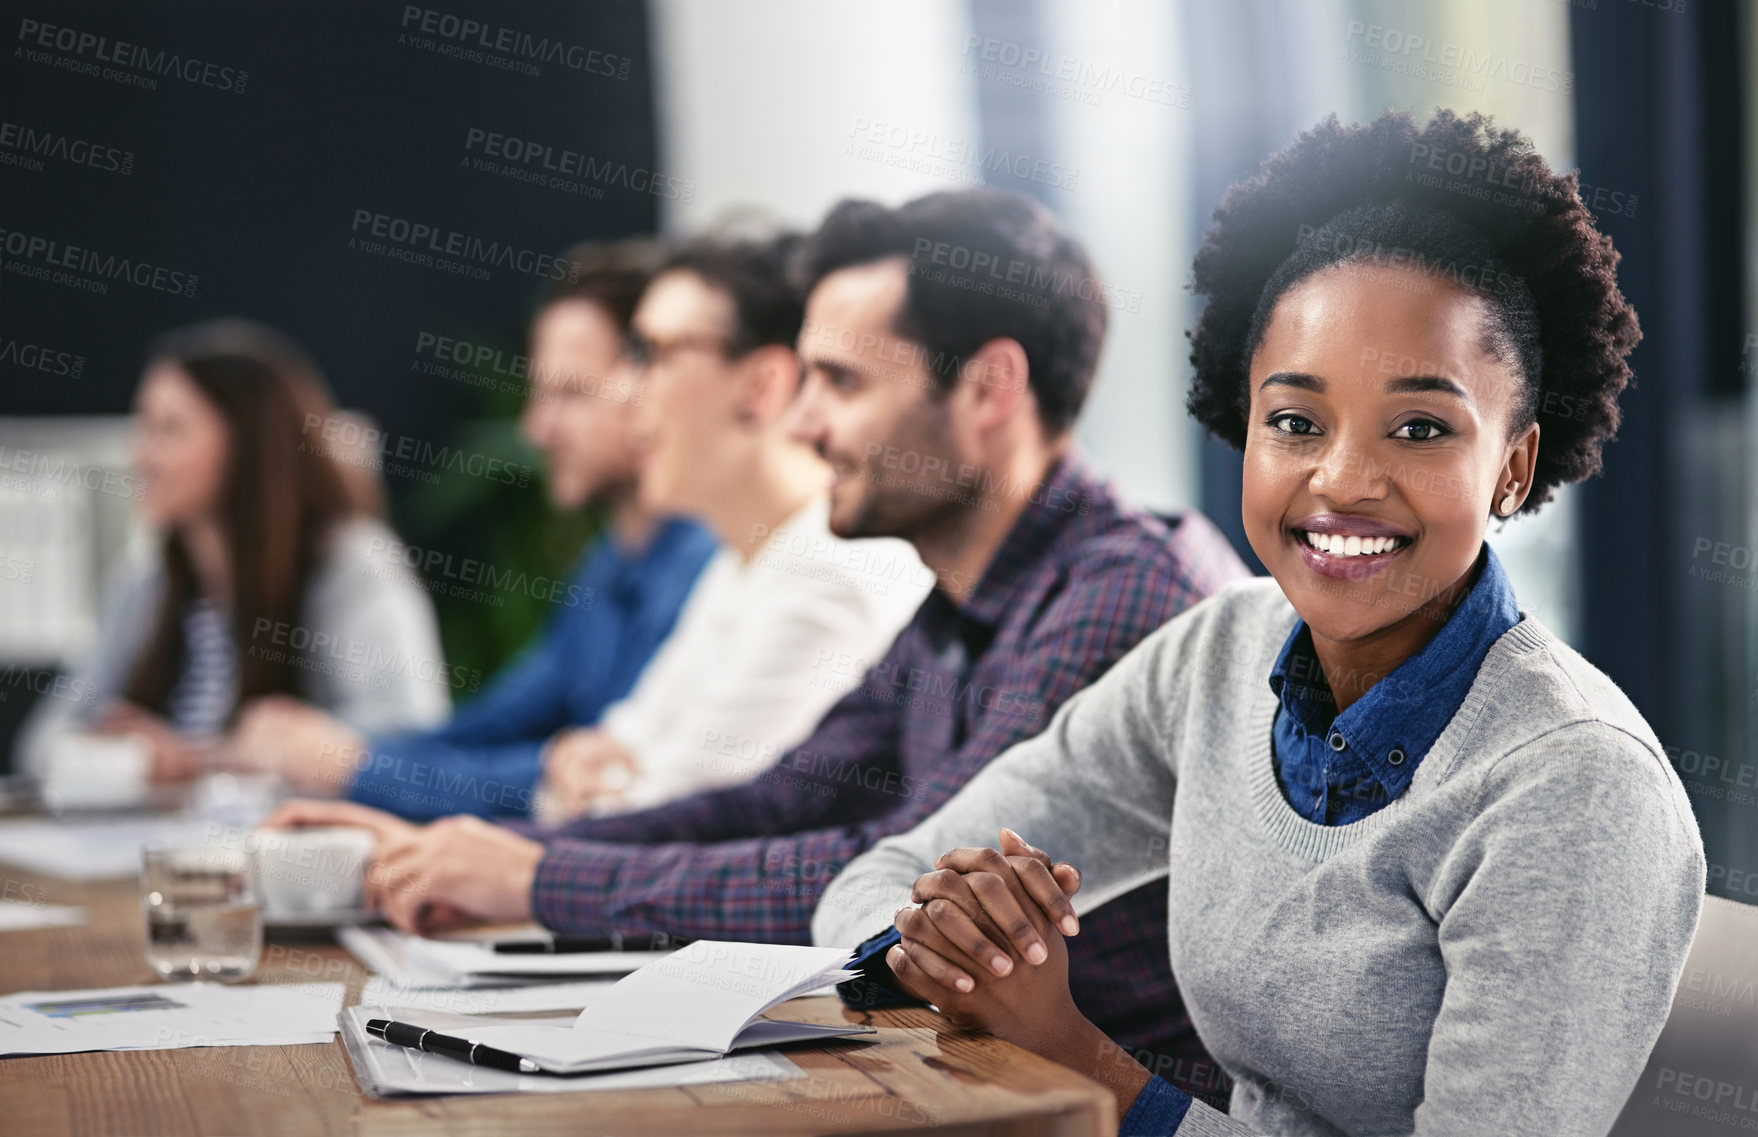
{"points": [[701, 1003]]}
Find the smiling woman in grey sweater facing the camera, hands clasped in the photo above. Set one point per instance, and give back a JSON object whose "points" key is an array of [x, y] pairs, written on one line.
{"points": [[1430, 871]]}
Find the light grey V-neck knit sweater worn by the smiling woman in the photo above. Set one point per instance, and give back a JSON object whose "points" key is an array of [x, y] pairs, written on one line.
{"points": [[1490, 955]]}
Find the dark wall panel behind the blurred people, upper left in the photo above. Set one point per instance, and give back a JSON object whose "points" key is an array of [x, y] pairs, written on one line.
{"points": [[182, 161]]}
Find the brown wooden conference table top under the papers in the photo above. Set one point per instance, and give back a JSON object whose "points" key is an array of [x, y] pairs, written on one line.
{"points": [[922, 1073]]}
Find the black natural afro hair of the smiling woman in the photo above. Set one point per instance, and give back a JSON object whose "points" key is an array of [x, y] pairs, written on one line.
{"points": [[1458, 199]]}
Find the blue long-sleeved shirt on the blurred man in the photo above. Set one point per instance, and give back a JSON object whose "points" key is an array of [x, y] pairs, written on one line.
{"points": [[488, 760]]}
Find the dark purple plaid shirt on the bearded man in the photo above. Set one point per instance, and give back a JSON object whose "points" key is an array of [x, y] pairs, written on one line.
{"points": [[1079, 583]]}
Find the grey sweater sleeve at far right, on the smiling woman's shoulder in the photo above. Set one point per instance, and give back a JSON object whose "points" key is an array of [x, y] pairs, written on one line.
{"points": [[1565, 909]]}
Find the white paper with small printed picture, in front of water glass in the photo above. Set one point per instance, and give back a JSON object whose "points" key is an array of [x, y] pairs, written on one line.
{"points": [[168, 1017]]}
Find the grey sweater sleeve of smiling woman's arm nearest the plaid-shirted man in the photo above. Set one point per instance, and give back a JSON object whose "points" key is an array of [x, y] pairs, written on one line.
{"points": [[1094, 790]]}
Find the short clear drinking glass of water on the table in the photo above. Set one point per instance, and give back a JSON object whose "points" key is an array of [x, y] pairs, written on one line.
{"points": [[203, 911]]}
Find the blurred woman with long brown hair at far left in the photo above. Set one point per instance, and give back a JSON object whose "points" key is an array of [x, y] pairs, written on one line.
{"points": [[261, 583]]}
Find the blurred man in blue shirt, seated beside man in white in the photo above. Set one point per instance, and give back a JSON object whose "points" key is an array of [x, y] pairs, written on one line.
{"points": [[616, 611]]}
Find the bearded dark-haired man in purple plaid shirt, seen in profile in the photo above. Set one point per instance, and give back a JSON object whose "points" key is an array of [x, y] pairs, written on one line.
{"points": [[945, 400]]}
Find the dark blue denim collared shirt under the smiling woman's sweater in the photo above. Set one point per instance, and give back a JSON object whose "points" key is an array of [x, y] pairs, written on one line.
{"points": [[1337, 769]]}
